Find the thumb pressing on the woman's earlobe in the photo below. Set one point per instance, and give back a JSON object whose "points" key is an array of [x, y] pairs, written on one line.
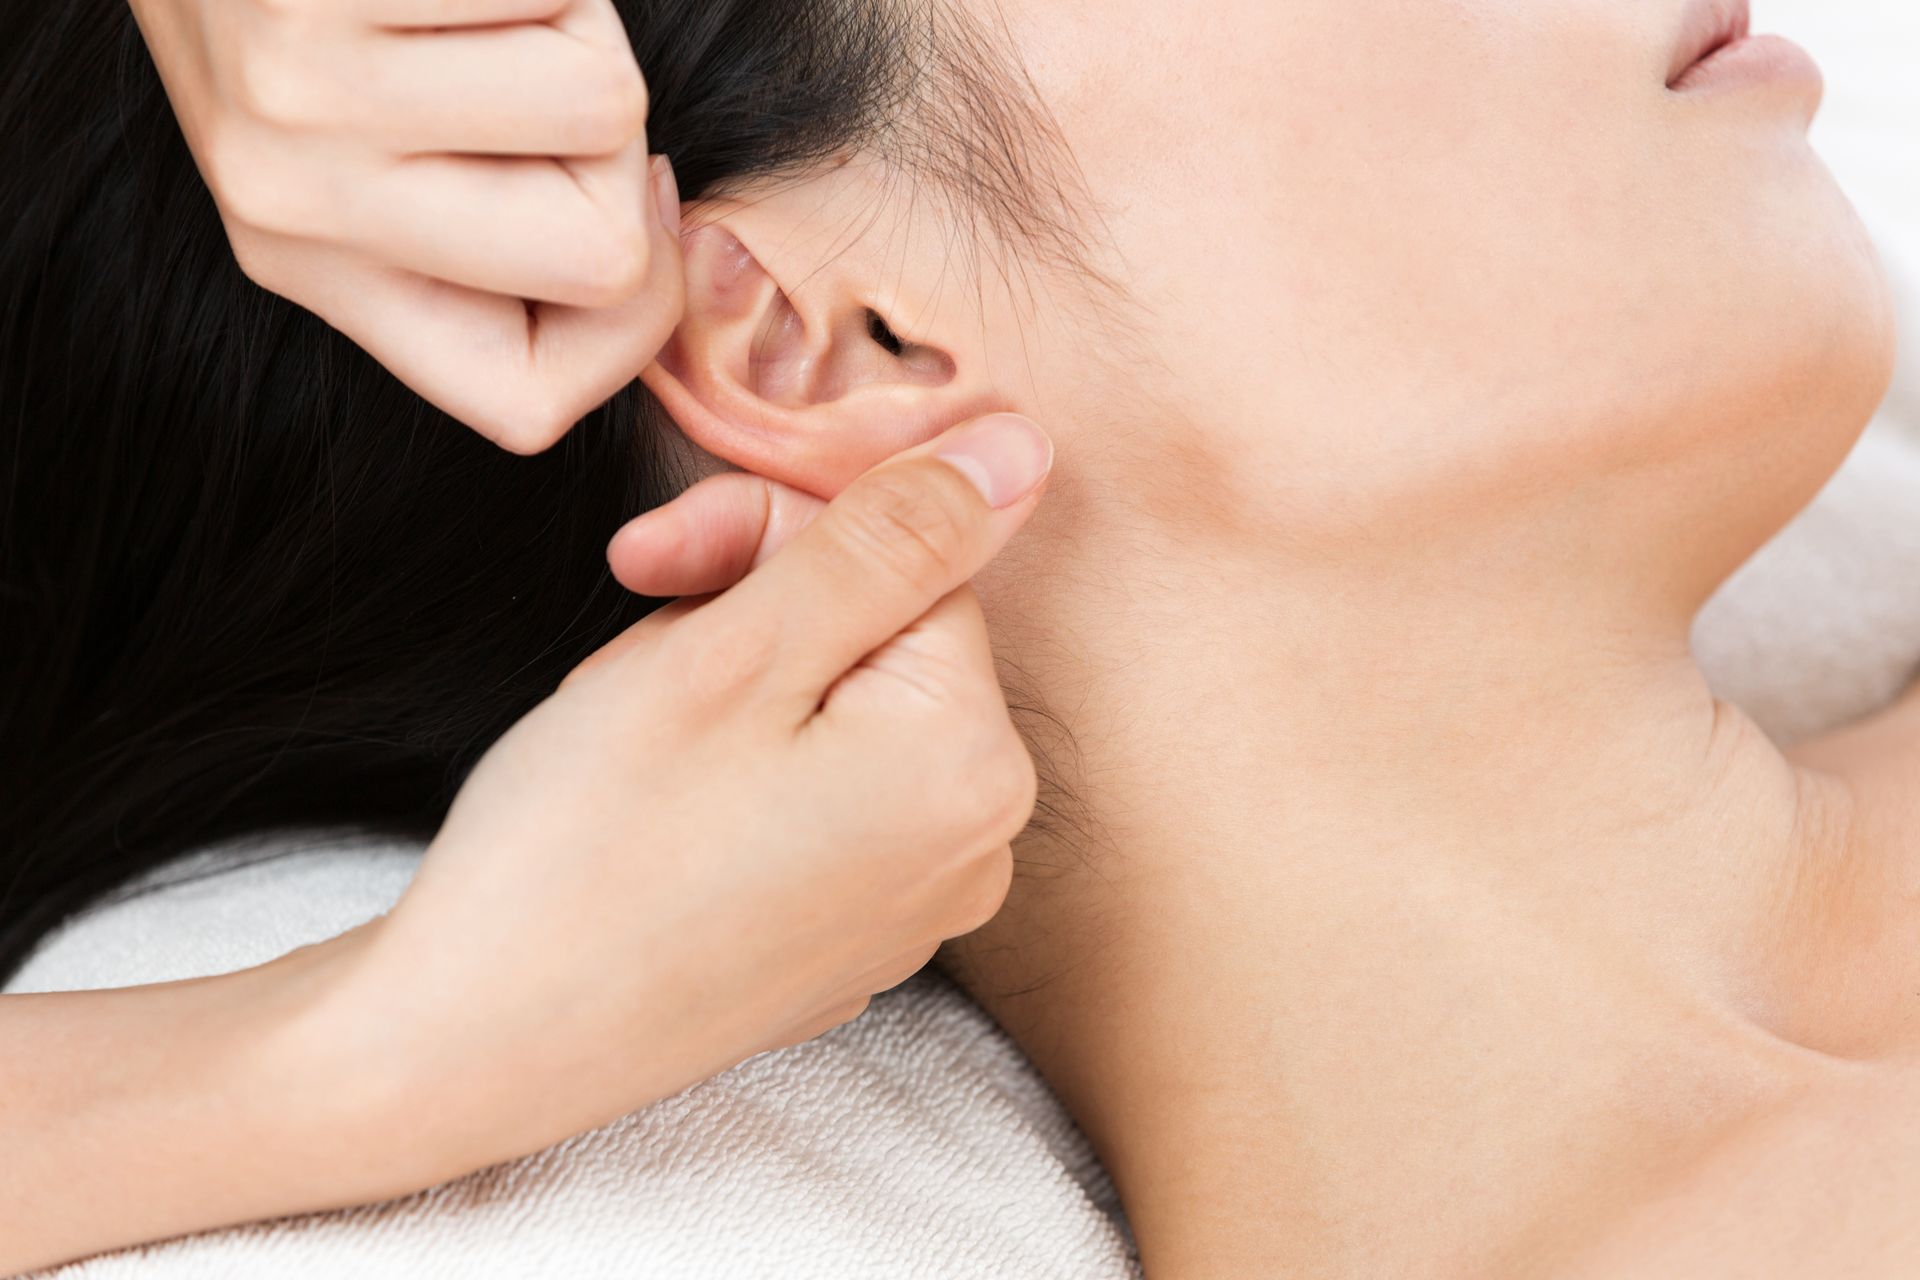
{"points": [[888, 550]]}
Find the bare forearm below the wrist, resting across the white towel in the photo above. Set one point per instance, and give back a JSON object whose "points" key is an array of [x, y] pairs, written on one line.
{"points": [[151, 1112]]}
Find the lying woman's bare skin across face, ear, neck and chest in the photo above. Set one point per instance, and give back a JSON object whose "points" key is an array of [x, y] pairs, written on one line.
{"points": [[1418, 911]]}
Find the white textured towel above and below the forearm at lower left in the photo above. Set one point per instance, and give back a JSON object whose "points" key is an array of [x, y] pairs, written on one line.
{"points": [[911, 1143]]}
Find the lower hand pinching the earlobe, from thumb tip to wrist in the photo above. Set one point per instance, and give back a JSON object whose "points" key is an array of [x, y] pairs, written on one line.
{"points": [[725, 832]]}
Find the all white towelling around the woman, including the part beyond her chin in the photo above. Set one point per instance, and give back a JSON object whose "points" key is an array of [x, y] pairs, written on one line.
{"points": [[917, 1141]]}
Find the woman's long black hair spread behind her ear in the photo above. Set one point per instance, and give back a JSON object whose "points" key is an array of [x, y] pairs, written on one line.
{"points": [[247, 579]]}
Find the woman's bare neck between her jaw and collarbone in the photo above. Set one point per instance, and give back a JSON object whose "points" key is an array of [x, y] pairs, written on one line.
{"points": [[1387, 918]]}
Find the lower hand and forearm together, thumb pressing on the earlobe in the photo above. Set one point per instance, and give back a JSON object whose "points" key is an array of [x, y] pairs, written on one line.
{"points": [[581, 924]]}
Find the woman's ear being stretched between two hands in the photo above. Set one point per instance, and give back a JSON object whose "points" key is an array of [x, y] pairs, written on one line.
{"points": [[788, 366]]}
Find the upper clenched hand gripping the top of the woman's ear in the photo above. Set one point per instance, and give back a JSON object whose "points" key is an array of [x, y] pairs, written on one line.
{"points": [[462, 187]]}
